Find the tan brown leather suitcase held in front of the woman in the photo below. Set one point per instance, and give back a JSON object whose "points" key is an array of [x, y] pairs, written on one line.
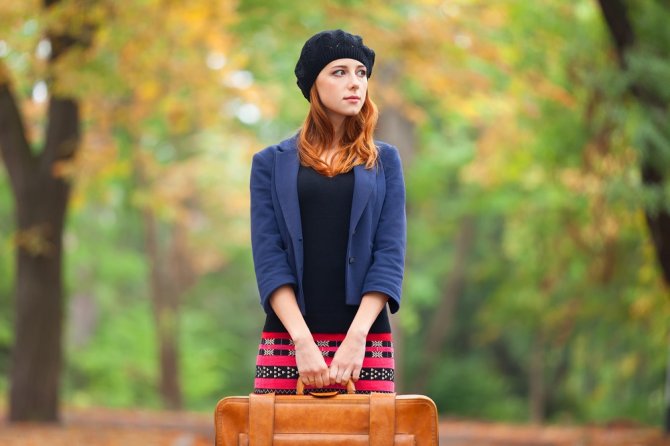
{"points": [[379, 419]]}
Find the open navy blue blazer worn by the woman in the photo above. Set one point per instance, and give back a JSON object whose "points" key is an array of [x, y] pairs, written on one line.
{"points": [[377, 230]]}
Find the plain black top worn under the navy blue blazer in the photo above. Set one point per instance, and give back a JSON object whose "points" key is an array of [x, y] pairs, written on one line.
{"points": [[325, 210]]}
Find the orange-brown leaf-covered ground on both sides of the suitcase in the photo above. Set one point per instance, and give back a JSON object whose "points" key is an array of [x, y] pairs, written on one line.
{"points": [[111, 427]]}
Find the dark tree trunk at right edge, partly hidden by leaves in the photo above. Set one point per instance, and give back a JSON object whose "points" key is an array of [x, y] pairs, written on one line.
{"points": [[621, 29]]}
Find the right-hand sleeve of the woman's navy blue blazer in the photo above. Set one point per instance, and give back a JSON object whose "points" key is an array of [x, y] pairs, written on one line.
{"points": [[386, 272]]}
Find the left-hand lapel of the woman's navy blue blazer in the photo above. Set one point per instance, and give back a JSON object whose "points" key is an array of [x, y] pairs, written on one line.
{"points": [[286, 184]]}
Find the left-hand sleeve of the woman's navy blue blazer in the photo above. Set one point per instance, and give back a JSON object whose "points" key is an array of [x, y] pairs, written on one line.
{"points": [[269, 251]]}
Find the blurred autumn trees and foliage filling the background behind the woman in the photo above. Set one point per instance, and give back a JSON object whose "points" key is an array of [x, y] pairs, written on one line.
{"points": [[535, 142]]}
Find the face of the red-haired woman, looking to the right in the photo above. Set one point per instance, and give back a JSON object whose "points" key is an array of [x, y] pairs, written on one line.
{"points": [[342, 86]]}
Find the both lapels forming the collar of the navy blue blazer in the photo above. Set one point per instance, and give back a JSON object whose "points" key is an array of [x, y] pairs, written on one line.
{"points": [[286, 185]]}
